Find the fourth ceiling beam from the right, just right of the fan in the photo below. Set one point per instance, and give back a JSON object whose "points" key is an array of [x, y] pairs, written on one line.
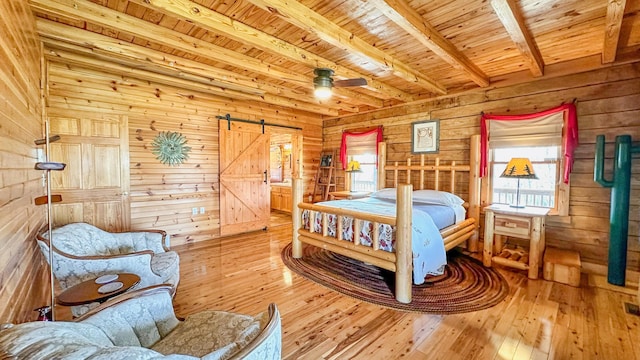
{"points": [[308, 20]]}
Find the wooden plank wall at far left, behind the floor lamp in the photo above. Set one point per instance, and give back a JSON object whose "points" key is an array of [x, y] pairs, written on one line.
{"points": [[23, 276]]}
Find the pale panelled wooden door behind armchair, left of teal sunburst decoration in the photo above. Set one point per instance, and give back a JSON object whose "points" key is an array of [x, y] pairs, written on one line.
{"points": [[95, 183]]}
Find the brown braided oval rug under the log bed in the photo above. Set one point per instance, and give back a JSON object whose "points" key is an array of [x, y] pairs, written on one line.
{"points": [[465, 286]]}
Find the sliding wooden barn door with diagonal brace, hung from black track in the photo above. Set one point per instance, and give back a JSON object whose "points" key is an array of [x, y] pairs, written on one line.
{"points": [[244, 177]]}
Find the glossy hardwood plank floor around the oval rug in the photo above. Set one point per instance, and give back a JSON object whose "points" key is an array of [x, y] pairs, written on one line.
{"points": [[538, 320]]}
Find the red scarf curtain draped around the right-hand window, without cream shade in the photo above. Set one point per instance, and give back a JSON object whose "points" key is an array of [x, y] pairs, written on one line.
{"points": [[569, 136]]}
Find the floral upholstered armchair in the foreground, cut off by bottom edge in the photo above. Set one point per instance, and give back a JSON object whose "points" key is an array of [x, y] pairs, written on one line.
{"points": [[142, 325]]}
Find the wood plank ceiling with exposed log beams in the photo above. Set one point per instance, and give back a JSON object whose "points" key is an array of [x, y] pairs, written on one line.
{"points": [[407, 50]]}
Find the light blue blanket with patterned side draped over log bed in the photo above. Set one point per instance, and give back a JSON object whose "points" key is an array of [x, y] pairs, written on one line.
{"points": [[429, 256]]}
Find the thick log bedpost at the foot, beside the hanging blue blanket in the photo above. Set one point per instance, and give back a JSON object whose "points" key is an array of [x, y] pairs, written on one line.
{"points": [[404, 251]]}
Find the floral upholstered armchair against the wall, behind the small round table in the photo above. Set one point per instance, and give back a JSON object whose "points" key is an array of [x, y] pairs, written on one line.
{"points": [[82, 251]]}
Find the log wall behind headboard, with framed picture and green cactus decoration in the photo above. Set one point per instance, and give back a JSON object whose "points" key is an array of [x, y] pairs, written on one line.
{"points": [[608, 102]]}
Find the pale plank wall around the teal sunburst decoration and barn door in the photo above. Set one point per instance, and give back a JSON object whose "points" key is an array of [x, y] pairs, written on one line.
{"points": [[163, 196]]}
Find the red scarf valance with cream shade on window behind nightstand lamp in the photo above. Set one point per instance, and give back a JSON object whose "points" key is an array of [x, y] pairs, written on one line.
{"points": [[540, 122]]}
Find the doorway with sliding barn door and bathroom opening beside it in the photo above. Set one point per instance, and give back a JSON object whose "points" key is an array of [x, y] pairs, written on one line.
{"points": [[246, 196]]}
